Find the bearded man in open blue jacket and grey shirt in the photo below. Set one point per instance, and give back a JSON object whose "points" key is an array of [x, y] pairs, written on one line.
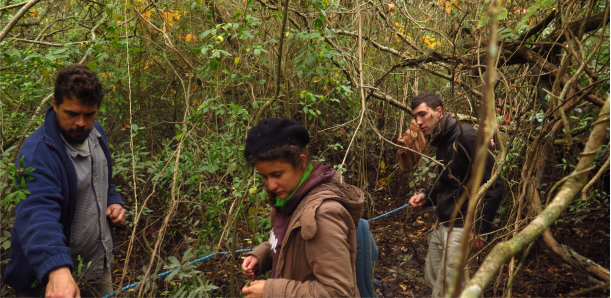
{"points": [[72, 203]]}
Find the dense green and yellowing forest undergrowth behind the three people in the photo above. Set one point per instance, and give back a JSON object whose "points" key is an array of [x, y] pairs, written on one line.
{"points": [[185, 79]]}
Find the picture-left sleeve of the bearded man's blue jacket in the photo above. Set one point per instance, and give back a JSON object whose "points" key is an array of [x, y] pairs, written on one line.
{"points": [[37, 220]]}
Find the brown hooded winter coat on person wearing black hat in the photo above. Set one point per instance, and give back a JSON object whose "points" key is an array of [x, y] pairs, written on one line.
{"points": [[317, 257]]}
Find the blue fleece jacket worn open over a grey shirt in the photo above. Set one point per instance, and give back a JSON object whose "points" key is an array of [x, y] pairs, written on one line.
{"points": [[41, 233]]}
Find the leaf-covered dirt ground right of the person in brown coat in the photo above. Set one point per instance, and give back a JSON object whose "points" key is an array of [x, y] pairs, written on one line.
{"points": [[543, 274]]}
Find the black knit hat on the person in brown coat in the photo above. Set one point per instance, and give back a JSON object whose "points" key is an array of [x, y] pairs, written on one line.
{"points": [[272, 133]]}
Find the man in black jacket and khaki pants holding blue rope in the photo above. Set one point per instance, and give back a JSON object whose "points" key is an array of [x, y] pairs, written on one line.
{"points": [[455, 145]]}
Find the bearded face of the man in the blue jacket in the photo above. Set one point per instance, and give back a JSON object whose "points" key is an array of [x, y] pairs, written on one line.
{"points": [[74, 119]]}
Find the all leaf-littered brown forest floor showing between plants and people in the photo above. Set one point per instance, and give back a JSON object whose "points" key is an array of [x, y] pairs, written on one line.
{"points": [[403, 249]]}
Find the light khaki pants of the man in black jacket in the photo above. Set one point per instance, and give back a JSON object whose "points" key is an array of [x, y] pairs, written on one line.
{"points": [[434, 276]]}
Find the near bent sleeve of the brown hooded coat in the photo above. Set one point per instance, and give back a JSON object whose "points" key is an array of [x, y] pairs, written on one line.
{"points": [[328, 254]]}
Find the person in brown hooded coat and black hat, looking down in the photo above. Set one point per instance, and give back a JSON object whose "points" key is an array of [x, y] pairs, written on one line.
{"points": [[311, 250]]}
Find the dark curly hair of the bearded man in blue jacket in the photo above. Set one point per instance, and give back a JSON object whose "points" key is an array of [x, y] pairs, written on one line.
{"points": [[78, 81]]}
